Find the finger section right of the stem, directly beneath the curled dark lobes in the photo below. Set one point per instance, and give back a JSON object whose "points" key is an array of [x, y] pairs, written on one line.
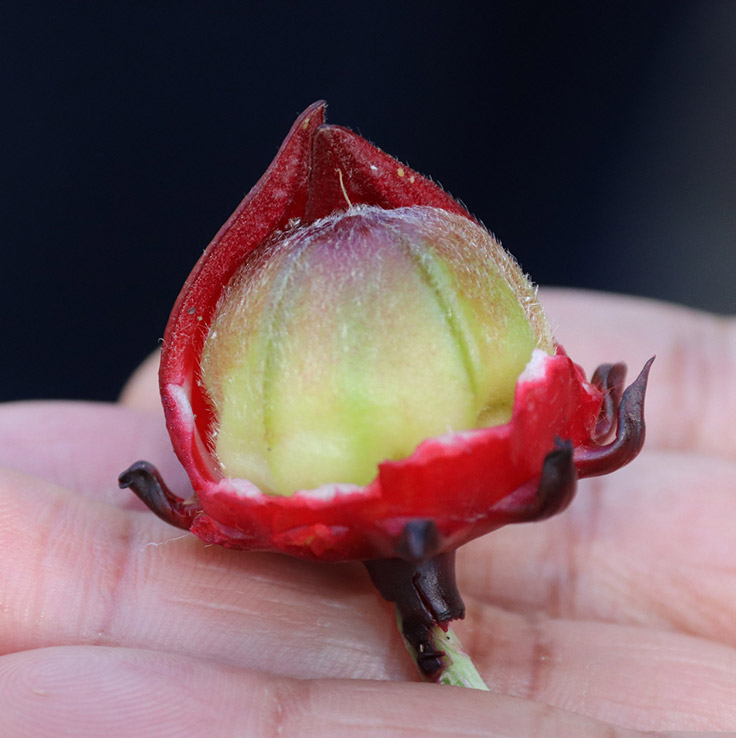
{"points": [[650, 544]]}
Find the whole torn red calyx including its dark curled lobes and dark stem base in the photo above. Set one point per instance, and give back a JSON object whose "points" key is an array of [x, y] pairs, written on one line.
{"points": [[417, 510]]}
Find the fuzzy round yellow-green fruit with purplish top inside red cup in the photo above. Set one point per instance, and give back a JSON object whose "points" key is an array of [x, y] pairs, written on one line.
{"points": [[347, 342]]}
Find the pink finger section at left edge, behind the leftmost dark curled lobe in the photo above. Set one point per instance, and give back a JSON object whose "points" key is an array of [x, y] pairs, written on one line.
{"points": [[84, 446]]}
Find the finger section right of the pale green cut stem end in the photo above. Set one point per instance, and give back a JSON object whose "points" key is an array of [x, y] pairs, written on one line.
{"points": [[631, 676]]}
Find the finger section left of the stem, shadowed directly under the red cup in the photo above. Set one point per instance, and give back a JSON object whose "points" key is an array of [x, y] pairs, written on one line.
{"points": [[77, 571]]}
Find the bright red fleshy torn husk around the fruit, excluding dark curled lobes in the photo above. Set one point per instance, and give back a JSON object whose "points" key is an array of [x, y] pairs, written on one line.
{"points": [[457, 480]]}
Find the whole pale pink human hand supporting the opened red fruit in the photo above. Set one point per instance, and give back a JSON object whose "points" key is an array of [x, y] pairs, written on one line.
{"points": [[613, 619]]}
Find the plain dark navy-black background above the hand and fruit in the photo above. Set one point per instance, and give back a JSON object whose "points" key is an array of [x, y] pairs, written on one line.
{"points": [[595, 139]]}
